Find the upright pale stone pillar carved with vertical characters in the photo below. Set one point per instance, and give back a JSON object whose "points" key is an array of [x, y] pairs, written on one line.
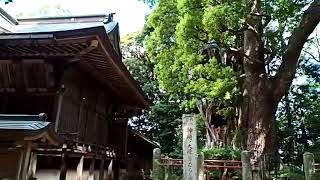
{"points": [[190, 165]]}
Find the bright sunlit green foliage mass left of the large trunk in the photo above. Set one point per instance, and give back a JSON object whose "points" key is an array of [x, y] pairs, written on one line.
{"points": [[179, 32]]}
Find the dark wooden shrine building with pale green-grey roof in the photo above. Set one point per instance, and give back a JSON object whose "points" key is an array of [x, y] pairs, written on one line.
{"points": [[66, 98]]}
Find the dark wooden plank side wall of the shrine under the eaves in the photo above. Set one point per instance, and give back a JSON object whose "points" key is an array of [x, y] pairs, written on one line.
{"points": [[85, 105]]}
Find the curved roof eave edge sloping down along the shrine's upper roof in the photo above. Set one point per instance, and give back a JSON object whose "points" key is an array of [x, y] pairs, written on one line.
{"points": [[100, 33]]}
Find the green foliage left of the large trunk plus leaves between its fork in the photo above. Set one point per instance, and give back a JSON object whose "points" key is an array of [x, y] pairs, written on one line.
{"points": [[182, 28]]}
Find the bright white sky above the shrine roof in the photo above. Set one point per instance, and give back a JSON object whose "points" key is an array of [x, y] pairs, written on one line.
{"points": [[129, 13]]}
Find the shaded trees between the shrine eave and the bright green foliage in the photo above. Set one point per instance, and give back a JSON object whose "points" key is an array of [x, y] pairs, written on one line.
{"points": [[161, 122]]}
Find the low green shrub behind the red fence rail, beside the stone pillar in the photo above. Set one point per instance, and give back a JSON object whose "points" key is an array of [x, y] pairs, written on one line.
{"points": [[227, 153]]}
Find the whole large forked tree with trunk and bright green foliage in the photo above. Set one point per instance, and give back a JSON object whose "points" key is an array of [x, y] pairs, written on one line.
{"points": [[265, 37]]}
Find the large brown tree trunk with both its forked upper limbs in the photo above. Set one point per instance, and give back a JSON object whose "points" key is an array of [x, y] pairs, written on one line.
{"points": [[264, 92]]}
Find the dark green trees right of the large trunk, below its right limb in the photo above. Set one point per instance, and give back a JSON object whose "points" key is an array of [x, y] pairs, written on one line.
{"points": [[299, 112]]}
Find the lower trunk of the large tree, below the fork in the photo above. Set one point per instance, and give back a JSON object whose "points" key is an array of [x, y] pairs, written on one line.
{"points": [[262, 130]]}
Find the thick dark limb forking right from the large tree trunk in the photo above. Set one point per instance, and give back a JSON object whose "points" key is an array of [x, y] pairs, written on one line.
{"points": [[290, 58]]}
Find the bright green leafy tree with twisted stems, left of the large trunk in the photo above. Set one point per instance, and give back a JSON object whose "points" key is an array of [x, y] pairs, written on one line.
{"points": [[182, 70]]}
